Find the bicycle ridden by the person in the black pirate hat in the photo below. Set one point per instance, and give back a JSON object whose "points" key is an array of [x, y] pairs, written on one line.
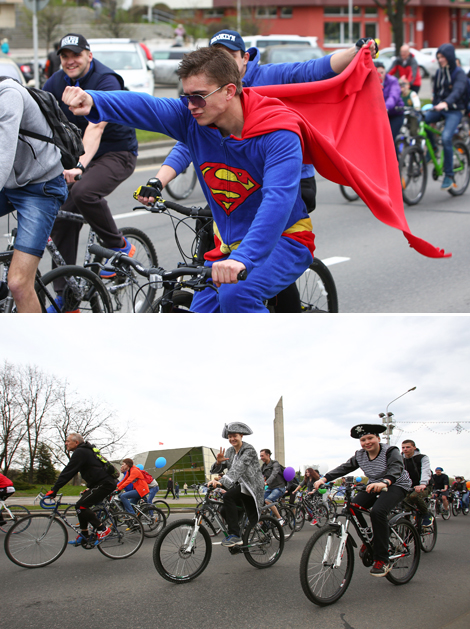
{"points": [[327, 562]]}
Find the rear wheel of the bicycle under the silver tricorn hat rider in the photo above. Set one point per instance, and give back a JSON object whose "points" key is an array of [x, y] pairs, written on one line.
{"points": [[265, 542]]}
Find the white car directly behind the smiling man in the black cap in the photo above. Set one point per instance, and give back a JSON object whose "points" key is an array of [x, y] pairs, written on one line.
{"points": [[126, 58]]}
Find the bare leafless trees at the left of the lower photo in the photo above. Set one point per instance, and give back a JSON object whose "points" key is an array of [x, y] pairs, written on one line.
{"points": [[37, 412]]}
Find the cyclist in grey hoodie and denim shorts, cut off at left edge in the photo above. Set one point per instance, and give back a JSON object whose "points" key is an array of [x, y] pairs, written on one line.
{"points": [[31, 184]]}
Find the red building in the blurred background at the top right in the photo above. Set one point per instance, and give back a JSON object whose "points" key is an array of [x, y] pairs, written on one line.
{"points": [[427, 23]]}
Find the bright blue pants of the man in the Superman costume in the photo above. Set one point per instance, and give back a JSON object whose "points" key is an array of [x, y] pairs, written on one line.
{"points": [[287, 262]]}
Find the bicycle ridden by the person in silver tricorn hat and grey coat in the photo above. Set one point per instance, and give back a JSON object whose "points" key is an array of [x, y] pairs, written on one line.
{"points": [[182, 551]]}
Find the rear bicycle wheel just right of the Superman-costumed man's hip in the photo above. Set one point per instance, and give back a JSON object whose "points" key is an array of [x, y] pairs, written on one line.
{"points": [[317, 289]]}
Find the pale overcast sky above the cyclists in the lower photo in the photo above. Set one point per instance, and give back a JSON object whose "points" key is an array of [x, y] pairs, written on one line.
{"points": [[177, 380]]}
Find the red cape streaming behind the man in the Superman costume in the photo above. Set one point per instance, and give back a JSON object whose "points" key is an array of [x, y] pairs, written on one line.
{"points": [[345, 134]]}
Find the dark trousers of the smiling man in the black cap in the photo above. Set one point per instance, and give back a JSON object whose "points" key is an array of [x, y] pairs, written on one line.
{"points": [[87, 197]]}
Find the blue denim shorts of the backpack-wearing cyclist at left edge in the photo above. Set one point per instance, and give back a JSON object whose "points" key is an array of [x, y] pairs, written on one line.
{"points": [[36, 205]]}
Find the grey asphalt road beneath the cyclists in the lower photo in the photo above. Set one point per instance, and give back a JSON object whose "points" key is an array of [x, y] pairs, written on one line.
{"points": [[85, 589]]}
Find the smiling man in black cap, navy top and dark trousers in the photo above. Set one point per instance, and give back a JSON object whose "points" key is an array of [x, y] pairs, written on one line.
{"points": [[110, 152]]}
